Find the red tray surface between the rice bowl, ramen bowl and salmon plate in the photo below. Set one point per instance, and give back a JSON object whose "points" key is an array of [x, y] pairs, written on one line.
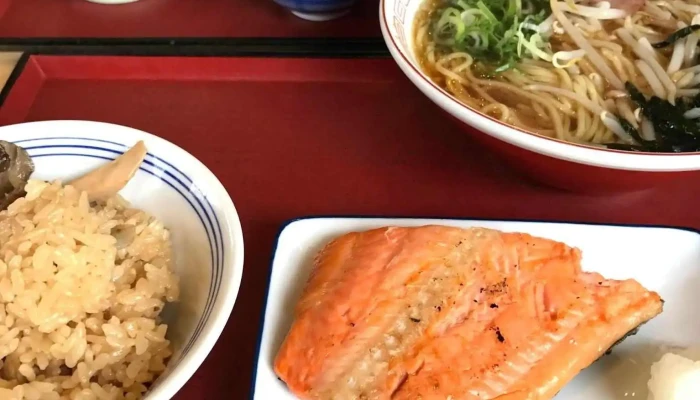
{"points": [[297, 137]]}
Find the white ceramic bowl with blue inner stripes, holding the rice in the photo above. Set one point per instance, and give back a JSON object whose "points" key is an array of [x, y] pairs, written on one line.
{"points": [[178, 189]]}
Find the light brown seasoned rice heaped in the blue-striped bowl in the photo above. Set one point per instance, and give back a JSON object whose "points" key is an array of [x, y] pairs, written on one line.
{"points": [[81, 290]]}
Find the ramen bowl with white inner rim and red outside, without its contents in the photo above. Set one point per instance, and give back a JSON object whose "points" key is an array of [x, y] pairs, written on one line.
{"points": [[554, 162]]}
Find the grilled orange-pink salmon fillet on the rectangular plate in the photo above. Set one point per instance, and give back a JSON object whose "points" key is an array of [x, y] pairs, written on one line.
{"points": [[438, 312]]}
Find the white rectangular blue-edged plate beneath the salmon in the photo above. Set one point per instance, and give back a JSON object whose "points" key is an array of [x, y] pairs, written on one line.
{"points": [[666, 260]]}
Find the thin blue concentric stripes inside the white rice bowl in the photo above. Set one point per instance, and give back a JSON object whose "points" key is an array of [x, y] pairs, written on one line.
{"points": [[159, 168]]}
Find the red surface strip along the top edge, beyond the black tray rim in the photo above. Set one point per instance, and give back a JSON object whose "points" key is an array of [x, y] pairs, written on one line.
{"points": [[175, 19]]}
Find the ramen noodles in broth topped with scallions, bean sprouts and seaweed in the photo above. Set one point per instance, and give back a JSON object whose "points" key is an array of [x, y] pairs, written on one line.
{"points": [[571, 71]]}
